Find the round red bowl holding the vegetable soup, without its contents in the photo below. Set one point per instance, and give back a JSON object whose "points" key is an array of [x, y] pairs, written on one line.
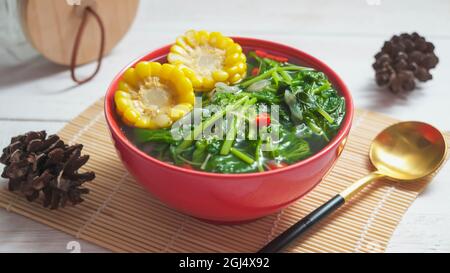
{"points": [[230, 197]]}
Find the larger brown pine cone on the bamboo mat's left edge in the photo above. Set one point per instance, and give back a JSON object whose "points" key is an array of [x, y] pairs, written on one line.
{"points": [[36, 163]]}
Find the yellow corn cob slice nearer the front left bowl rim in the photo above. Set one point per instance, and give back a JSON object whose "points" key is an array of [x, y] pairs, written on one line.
{"points": [[151, 95]]}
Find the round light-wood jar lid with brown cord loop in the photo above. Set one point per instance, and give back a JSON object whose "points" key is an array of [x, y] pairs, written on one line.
{"points": [[51, 26]]}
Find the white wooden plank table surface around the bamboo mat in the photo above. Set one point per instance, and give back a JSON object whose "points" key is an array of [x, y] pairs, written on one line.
{"points": [[345, 34]]}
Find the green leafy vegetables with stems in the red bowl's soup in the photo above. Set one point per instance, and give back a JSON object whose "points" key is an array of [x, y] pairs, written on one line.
{"points": [[309, 109]]}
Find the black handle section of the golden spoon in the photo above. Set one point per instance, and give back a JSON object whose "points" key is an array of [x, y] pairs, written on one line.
{"points": [[303, 225]]}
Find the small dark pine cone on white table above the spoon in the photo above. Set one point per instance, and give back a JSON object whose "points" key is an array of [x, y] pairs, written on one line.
{"points": [[402, 60]]}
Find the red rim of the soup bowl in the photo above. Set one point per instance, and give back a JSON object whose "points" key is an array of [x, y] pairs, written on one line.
{"points": [[280, 49]]}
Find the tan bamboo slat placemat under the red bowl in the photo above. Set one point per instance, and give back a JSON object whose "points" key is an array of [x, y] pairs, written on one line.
{"points": [[121, 216]]}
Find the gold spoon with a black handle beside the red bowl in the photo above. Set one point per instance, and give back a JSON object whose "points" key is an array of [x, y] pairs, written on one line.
{"points": [[403, 152]]}
